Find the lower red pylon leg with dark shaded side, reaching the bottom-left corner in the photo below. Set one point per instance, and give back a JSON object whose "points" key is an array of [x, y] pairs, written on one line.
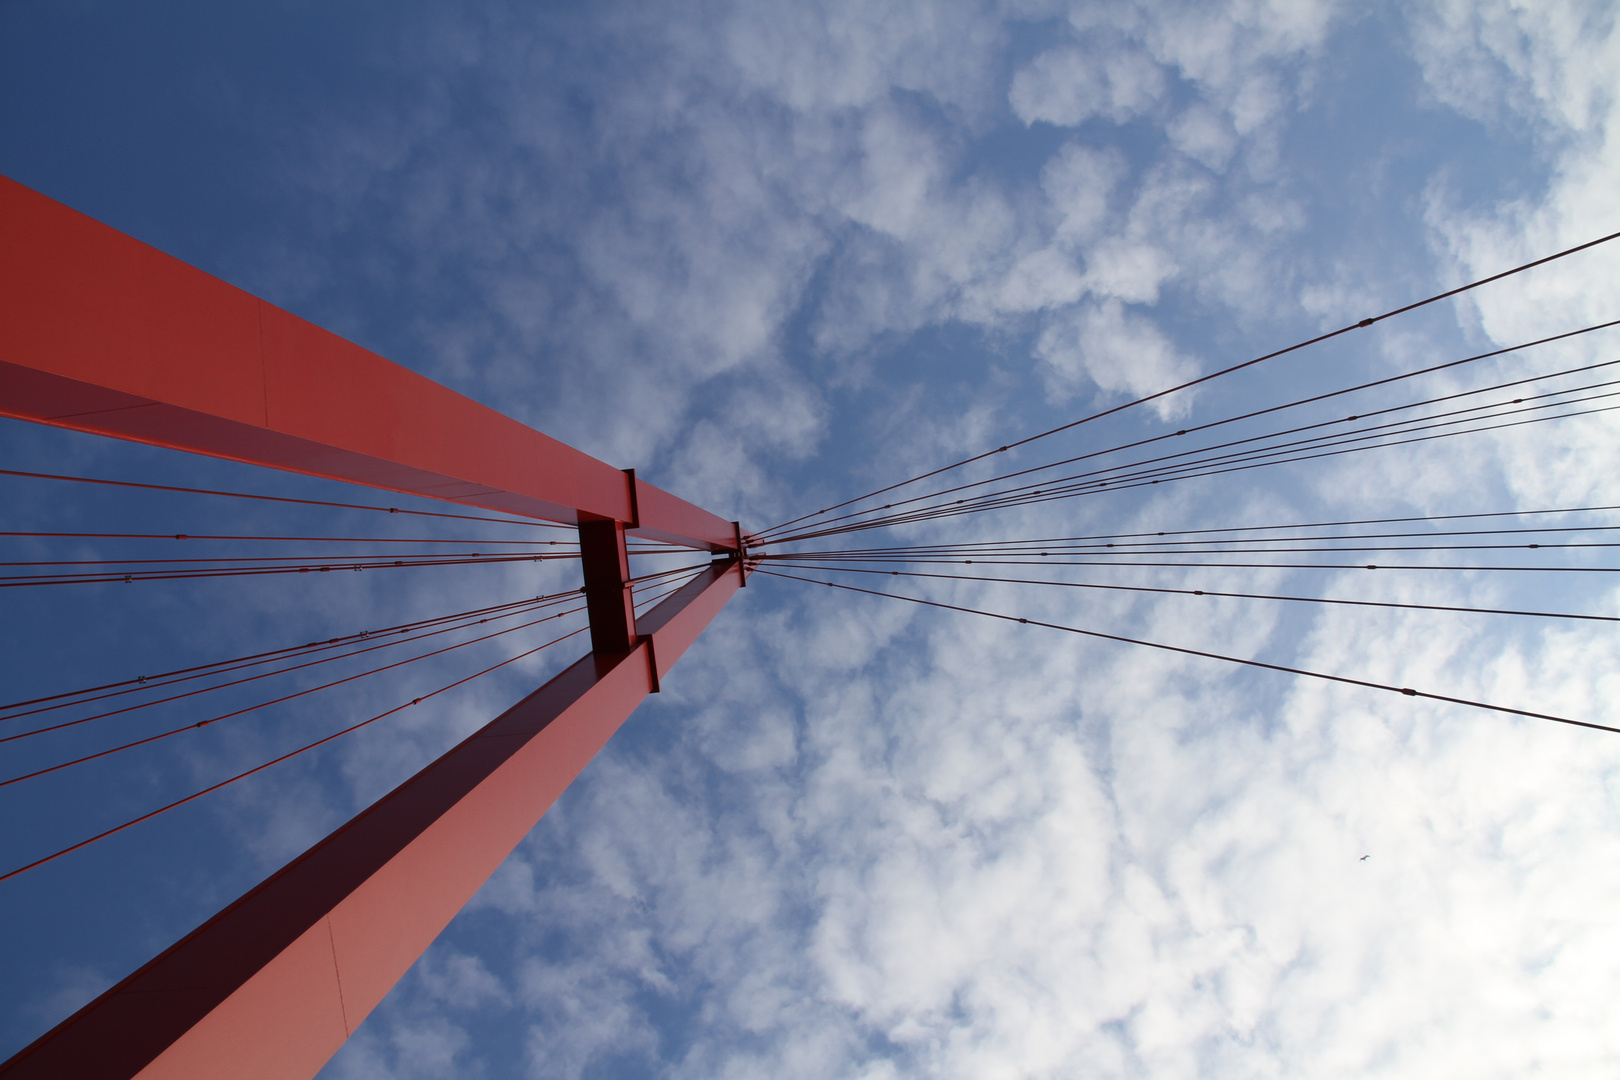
{"points": [[271, 987]]}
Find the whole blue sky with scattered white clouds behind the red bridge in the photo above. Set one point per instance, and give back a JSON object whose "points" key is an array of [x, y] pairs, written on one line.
{"points": [[777, 257]]}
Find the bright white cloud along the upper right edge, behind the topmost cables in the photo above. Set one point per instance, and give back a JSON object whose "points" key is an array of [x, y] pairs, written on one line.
{"points": [[1546, 72]]}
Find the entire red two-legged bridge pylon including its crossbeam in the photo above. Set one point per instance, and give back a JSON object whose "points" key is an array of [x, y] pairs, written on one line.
{"points": [[104, 334]]}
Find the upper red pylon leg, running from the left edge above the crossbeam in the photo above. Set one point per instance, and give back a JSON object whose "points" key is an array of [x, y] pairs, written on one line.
{"points": [[101, 333]]}
